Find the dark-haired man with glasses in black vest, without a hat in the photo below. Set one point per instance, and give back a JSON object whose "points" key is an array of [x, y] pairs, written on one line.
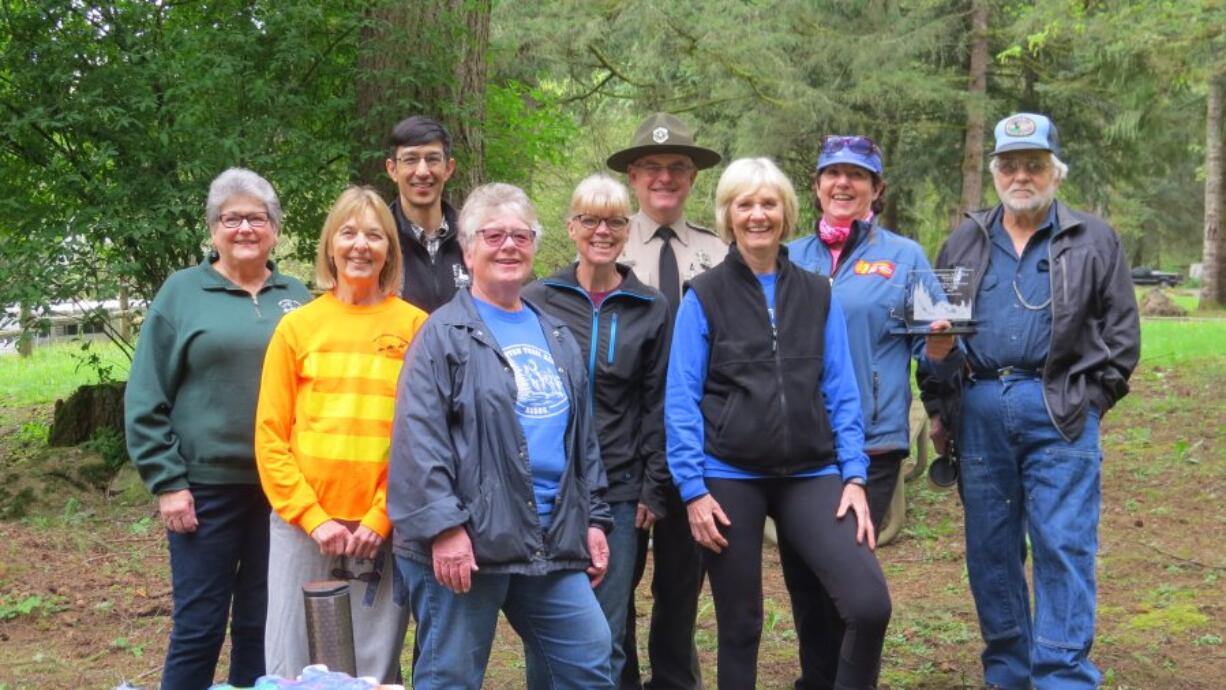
{"points": [[420, 162]]}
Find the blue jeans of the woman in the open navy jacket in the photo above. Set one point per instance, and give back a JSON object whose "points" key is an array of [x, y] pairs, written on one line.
{"points": [[556, 615]]}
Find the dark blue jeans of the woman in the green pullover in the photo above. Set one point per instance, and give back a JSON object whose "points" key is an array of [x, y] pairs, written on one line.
{"points": [[224, 564]]}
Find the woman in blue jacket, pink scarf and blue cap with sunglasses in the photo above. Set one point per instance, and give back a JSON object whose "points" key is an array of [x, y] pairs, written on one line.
{"points": [[870, 269]]}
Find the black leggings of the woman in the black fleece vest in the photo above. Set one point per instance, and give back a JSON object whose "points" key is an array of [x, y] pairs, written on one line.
{"points": [[805, 514]]}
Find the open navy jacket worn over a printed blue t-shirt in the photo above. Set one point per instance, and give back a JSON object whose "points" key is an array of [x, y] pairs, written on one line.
{"points": [[459, 455]]}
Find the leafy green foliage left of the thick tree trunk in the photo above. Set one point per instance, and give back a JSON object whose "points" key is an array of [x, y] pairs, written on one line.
{"points": [[118, 116]]}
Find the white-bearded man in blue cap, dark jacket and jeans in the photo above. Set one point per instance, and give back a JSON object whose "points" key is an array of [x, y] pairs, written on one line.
{"points": [[1057, 339]]}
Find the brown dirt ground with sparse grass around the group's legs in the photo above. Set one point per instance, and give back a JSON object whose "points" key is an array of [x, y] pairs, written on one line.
{"points": [[85, 597]]}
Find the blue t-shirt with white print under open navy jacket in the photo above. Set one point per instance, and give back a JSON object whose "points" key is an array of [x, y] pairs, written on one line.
{"points": [[543, 406]]}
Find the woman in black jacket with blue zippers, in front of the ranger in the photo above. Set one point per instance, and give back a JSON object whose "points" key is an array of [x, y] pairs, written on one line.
{"points": [[622, 327]]}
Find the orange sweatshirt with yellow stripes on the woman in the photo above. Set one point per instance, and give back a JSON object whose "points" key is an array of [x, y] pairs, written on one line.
{"points": [[323, 426]]}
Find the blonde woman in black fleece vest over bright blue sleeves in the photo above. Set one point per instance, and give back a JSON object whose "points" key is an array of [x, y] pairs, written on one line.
{"points": [[763, 420]]}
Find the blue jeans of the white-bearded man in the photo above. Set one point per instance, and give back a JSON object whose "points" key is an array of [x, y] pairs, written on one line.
{"points": [[1021, 477]]}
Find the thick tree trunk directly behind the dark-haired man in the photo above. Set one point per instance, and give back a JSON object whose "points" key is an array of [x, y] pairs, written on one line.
{"points": [[427, 58]]}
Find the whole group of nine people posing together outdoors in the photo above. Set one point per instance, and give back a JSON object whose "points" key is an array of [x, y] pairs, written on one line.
{"points": [[462, 442]]}
